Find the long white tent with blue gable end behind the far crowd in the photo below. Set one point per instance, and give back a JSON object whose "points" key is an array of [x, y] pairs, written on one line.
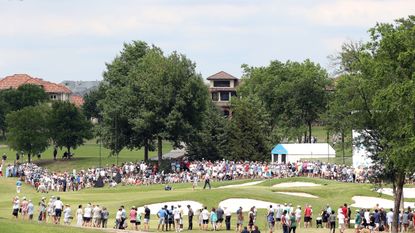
{"points": [[283, 153]]}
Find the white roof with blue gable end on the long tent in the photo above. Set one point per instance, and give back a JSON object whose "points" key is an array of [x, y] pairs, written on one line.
{"points": [[303, 149]]}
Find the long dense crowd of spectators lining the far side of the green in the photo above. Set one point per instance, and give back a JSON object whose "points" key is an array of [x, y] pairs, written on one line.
{"points": [[181, 171]]}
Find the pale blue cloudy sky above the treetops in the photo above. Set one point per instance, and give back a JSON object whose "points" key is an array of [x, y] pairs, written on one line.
{"points": [[72, 40]]}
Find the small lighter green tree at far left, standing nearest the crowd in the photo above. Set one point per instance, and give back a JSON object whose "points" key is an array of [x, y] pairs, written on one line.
{"points": [[28, 129]]}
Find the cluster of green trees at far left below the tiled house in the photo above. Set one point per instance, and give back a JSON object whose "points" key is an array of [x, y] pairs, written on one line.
{"points": [[32, 123]]}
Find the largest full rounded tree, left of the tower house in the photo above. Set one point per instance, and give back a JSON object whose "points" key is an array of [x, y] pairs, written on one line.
{"points": [[151, 97]]}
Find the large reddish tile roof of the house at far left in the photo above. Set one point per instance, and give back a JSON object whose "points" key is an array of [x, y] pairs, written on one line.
{"points": [[16, 80]]}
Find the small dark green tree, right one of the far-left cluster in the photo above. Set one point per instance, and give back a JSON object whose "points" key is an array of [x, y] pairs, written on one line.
{"points": [[68, 126]]}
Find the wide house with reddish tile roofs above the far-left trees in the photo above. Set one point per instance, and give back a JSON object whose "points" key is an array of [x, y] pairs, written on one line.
{"points": [[55, 91]]}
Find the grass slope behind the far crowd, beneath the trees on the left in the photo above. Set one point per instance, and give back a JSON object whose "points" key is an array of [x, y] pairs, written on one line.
{"points": [[85, 156]]}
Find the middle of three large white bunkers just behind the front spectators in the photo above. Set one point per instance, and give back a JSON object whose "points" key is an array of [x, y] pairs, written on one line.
{"points": [[245, 203]]}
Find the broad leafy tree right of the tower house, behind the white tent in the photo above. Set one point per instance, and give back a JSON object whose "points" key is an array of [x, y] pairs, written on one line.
{"points": [[292, 93]]}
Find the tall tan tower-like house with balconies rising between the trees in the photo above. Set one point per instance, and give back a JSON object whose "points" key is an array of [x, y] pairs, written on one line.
{"points": [[222, 88]]}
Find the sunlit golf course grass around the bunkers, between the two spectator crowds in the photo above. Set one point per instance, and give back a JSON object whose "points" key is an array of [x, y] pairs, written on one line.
{"points": [[332, 192]]}
